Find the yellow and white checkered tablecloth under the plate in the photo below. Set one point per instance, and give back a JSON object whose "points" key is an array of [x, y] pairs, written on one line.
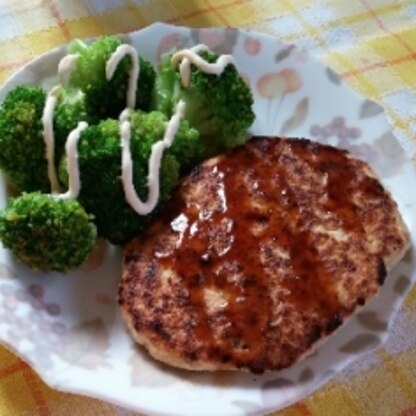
{"points": [[371, 43]]}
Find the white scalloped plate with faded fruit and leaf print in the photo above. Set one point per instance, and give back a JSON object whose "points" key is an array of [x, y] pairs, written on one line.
{"points": [[69, 328]]}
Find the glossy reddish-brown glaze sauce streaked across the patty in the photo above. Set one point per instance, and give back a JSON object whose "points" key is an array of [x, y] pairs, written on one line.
{"points": [[199, 263]]}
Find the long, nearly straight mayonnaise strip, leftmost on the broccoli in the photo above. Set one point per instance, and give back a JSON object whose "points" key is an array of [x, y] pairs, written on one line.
{"points": [[48, 136]]}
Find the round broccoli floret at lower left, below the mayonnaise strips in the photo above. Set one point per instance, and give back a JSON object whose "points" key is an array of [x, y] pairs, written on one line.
{"points": [[46, 233]]}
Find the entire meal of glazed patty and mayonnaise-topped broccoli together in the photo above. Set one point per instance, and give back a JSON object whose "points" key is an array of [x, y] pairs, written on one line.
{"points": [[238, 254]]}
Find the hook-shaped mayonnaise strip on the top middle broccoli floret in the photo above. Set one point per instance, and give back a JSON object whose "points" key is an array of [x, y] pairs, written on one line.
{"points": [[112, 64]]}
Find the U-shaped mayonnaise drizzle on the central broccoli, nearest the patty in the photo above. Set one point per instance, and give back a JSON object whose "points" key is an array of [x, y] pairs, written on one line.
{"points": [[153, 179]]}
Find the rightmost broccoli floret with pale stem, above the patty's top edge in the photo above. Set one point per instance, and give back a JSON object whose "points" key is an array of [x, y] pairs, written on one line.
{"points": [[219, 107]]}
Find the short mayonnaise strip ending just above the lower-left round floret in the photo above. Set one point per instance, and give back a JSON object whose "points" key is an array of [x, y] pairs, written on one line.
{"points": [[71, 149]]}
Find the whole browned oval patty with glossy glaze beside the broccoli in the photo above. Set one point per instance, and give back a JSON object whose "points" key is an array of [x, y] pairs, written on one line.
{"points": [[245, 272]]}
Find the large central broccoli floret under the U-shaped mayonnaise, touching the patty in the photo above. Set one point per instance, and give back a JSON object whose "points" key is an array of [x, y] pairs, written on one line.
{"points": [[99, 156]]}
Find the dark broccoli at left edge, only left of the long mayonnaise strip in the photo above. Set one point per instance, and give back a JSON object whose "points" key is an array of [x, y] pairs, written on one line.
{"points": [[22, 148]]}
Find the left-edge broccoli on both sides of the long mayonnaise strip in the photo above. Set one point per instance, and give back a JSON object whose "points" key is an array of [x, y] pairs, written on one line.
{"points": [[22, 146]]}
